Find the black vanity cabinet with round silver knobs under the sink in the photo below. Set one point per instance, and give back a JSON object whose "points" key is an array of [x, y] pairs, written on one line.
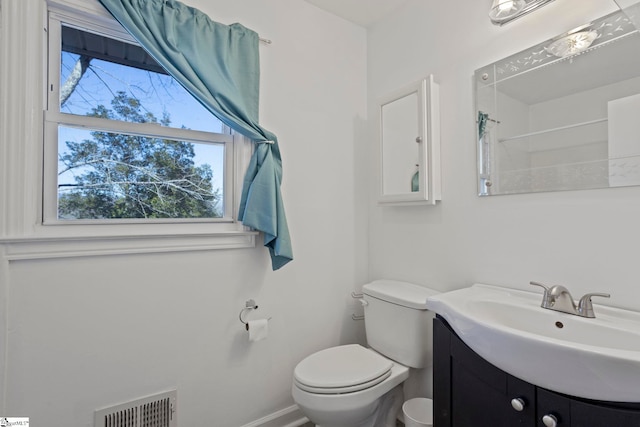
{"points": [[468, 391]]}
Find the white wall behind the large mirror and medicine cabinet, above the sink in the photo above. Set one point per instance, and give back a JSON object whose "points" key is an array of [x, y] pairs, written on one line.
{"points": [[586, 240]]}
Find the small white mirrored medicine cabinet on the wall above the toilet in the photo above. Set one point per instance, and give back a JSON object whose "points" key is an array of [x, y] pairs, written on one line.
{"points": [[410, 145]]}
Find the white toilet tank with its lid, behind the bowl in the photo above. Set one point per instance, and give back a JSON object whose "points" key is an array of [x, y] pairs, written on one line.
{"points": [[397, 322]]}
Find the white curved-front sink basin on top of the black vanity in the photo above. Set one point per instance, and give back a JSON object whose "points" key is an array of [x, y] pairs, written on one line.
{"points": [[589, 358]]}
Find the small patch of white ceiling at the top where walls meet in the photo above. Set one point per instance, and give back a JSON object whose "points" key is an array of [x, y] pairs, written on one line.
{"points": [[362, 12]]}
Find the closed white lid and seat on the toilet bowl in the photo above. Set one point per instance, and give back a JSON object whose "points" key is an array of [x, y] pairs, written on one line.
{"points": [[342, 369]]}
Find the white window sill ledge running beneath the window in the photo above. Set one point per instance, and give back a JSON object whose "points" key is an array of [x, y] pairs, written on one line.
{"points": [[33, 248]]}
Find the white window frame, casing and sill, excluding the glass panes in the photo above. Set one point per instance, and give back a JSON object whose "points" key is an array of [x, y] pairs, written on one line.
{"points": [[29, 228]]}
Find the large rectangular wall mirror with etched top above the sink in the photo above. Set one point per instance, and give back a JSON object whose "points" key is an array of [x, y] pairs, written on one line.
{"points": [[562, 115]]}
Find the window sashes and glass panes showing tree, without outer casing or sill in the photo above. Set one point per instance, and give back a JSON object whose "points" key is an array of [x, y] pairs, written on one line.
{"points": [[124, 142]]}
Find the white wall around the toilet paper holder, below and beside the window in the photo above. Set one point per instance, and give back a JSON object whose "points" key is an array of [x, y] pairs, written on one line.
{"points": [[84, 333]]}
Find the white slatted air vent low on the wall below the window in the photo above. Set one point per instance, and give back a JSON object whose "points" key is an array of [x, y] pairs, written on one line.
{"points": [[153, 411]]}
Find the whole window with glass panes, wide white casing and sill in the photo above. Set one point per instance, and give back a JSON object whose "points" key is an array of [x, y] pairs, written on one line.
{"points": [[33, 158]]}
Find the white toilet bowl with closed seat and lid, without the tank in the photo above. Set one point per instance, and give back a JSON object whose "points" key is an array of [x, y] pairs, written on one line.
{"points": [[349, 386]]}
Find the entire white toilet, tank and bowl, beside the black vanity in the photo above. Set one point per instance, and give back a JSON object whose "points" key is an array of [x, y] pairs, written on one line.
{"points": [[356, 386]]}
